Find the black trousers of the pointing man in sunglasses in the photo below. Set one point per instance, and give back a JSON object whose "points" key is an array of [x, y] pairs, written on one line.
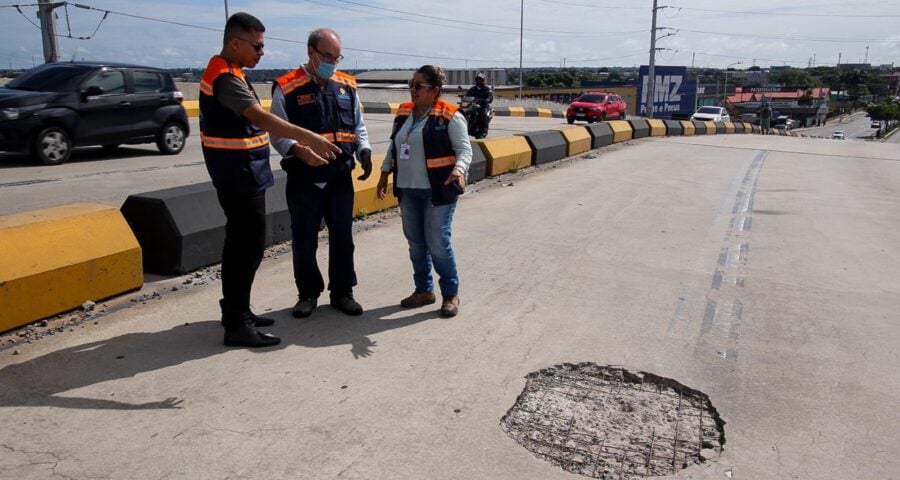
{"points": [[245, 243]]}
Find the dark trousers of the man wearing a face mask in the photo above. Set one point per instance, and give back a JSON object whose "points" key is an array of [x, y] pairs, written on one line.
{"points": [[308, 205]]}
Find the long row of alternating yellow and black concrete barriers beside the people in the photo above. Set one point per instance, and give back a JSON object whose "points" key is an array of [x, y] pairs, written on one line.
{"points": [[177, 230]]}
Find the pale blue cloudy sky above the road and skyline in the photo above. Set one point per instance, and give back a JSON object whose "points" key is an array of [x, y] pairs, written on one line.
{"points": [[473, 33]]}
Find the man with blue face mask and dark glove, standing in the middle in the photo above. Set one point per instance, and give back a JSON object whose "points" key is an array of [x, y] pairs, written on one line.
{"points": [[319, 98]]}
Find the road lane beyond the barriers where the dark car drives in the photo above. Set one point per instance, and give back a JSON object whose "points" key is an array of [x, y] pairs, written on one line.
{"points": [[93, 175]]}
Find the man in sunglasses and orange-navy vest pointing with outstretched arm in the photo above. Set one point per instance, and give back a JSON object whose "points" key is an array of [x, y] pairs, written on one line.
{"points": [[233, 130]]}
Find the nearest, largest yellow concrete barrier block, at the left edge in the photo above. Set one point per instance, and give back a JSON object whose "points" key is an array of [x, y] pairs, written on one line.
{"points": [[56, 259]]}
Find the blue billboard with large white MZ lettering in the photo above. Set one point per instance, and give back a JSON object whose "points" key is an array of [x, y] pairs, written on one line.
{"points": [[673, 91]]}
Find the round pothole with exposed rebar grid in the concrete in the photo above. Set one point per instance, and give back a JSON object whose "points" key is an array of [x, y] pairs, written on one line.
{"points": [[606, 422]]}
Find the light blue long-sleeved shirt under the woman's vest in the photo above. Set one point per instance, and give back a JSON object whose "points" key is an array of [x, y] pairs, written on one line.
{"points": [[415, 173]]}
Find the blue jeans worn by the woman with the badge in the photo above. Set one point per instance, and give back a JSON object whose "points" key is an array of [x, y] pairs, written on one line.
{"points": [[427, 230]]}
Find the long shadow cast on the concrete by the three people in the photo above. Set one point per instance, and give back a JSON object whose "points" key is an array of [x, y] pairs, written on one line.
{"points": [[38, 382]]}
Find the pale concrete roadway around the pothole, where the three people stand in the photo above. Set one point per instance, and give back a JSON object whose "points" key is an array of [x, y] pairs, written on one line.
{"points": [[759, 270]]}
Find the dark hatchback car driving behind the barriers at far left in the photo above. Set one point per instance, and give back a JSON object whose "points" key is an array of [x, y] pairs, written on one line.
{"points": [[50, 109]]}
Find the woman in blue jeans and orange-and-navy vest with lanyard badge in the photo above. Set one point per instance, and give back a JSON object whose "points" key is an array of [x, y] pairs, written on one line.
{"points": [[429, 157]]}
